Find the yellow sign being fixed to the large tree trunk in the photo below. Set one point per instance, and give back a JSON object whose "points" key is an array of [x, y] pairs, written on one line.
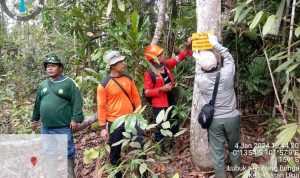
{"points": [[201, 41]]}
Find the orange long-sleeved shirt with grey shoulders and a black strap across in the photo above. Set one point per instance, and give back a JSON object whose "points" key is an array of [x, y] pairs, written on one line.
{"points": [[112, 101]]}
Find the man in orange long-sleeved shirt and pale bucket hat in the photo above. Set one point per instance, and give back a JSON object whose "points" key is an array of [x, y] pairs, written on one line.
{"points": [[117, 95]]}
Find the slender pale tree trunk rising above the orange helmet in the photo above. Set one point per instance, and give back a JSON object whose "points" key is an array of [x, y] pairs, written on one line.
{"points": [[160, 21]]}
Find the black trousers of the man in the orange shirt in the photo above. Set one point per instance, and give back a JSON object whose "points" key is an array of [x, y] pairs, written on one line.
{"points": [[115, 151]]}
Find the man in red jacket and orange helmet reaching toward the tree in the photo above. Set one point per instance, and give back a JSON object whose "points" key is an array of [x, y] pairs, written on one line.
{"points": [[159, 86]]}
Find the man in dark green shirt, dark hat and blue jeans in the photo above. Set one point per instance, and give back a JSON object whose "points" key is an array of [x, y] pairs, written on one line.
{"points": [[59, 106]]}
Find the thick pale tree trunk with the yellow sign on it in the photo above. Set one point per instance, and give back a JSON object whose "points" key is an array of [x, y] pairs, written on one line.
{"points": [[208, 19]]}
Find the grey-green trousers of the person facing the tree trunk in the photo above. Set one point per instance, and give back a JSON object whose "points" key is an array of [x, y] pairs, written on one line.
{"points": [[221, 130]]}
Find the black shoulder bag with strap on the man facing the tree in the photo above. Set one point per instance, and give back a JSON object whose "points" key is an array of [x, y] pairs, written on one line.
{"points": [[207, 112]]}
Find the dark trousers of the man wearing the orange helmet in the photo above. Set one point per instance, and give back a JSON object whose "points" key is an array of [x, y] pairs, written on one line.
{"points": [[173, 121]]}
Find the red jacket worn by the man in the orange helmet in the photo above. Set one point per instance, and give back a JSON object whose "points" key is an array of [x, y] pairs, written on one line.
{"points": [[160, 98]]}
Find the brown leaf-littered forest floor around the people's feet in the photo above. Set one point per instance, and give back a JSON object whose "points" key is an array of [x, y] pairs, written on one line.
{"points": [[180, 160]]}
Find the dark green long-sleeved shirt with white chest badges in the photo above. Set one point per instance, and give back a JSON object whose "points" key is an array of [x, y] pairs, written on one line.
{"points": [[59, 108]]}
